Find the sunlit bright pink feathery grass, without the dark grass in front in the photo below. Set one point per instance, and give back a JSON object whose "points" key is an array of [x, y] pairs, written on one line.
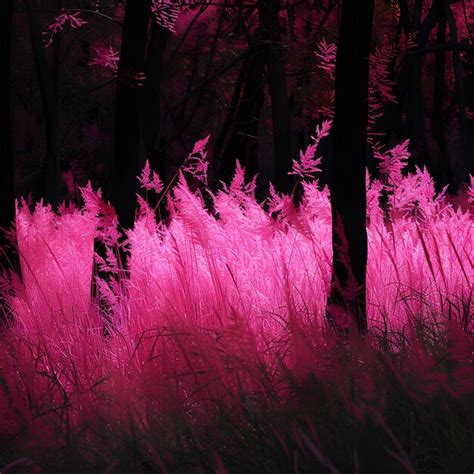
{"points": [[207, 303]]}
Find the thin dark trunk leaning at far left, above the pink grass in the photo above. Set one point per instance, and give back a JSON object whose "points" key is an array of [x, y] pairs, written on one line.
{"points": [[50, 171]]}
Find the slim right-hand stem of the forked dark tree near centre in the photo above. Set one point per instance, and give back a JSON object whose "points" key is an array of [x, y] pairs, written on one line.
{"points": [[272, 50]]}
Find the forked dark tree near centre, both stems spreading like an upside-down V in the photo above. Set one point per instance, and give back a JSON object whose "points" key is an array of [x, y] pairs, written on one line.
{"points": [[239, 135]]}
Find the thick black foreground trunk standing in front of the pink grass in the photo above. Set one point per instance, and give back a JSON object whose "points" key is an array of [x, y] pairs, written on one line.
{"points": [[347, 184]]}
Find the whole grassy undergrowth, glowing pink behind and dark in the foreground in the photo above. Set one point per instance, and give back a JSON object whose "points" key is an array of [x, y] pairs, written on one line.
{"points": [[208, 349]]}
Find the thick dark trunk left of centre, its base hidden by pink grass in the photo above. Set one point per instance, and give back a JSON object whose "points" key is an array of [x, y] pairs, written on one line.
{"points": [[128, 122]]}
